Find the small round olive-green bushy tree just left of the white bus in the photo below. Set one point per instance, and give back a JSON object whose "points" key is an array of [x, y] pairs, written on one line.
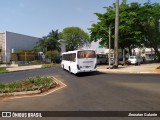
{"points": [[53, 55]]}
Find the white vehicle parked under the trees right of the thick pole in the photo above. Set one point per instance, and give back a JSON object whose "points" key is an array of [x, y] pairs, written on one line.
{"points": [[136, 60]]}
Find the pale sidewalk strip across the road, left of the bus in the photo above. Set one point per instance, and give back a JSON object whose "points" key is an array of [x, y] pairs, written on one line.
{"points": [[20, 68]]}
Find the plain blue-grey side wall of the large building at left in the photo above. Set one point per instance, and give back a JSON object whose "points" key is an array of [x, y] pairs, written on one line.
{"points": [[18, 42]]}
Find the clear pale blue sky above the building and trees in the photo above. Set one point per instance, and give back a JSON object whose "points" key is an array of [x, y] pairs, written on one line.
{"points": [[38, 17]]}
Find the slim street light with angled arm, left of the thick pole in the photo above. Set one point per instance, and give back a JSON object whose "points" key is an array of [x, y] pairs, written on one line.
{"points": [[109, 32]]}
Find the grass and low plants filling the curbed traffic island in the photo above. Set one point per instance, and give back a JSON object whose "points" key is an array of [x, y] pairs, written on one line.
{"points": [[29, 84]]}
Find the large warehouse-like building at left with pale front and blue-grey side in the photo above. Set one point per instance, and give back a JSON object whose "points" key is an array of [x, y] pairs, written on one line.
{"points": [[12, 42]]}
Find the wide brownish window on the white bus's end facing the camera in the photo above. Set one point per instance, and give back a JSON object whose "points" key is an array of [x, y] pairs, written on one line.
{"points": [[86, 54]]}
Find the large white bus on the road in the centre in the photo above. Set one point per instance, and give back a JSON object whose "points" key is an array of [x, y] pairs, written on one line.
{"points": [[79, 61]]}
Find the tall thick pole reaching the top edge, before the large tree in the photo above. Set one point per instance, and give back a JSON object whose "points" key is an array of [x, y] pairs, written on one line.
{"points": [[116, 35]]}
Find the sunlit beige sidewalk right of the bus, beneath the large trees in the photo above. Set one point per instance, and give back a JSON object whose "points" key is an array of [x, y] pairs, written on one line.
{"points": [[142, 69]]}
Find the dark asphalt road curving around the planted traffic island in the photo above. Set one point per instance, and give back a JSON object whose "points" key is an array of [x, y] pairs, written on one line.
{"points": [[90, 92]]}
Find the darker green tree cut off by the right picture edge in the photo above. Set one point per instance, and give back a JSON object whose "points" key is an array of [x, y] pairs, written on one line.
{"points": [[149, 24]]}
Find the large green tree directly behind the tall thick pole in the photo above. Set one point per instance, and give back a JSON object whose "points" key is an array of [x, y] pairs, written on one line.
{"points": [[129, 34]]}
